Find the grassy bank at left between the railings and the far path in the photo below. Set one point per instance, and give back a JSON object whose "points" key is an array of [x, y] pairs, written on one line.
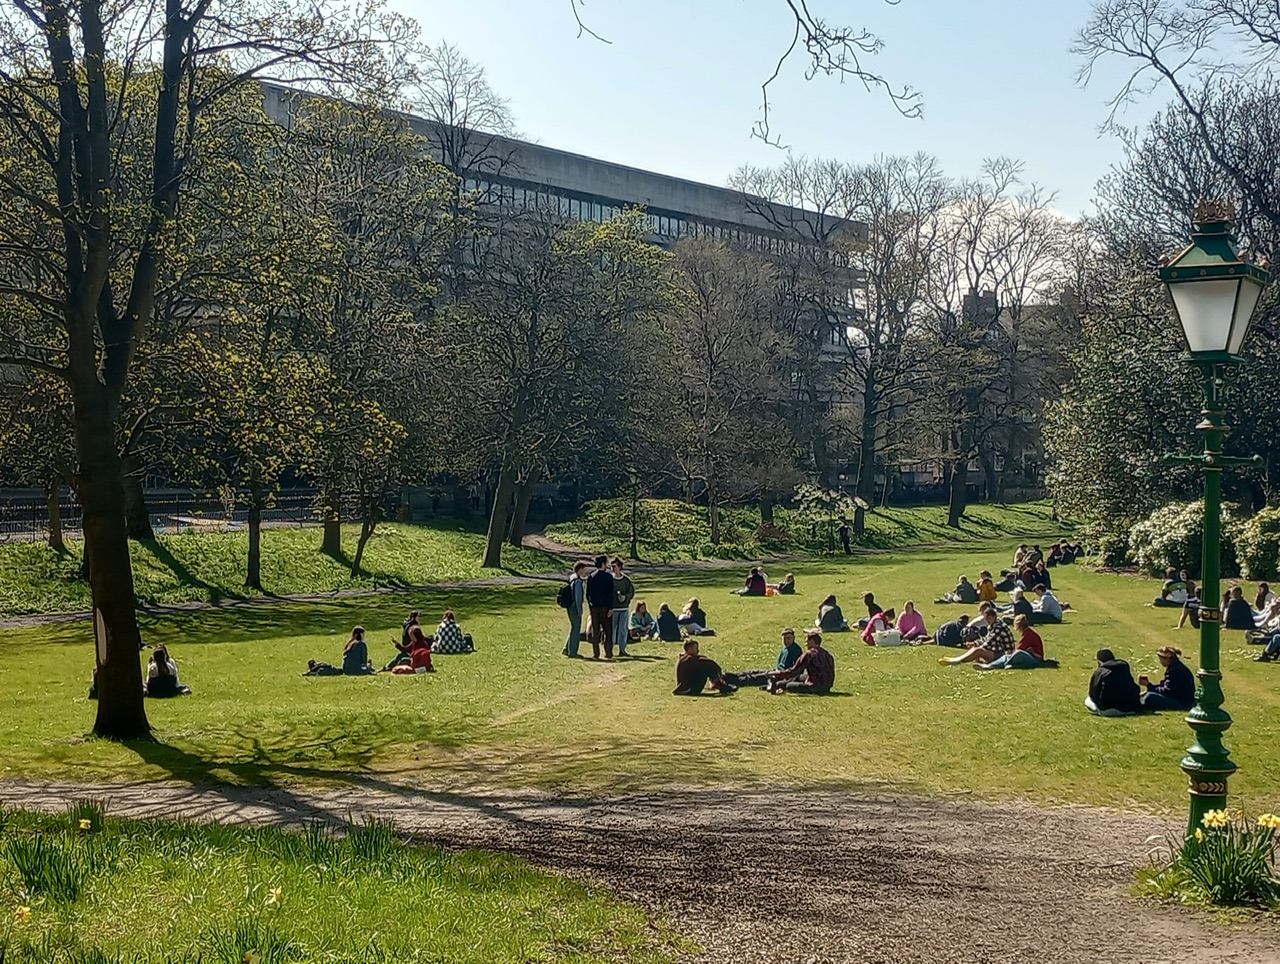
{"points": [[211, 566]]}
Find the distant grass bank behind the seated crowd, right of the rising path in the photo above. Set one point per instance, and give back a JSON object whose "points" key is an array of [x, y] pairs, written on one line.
{"points": [[673, 531]]}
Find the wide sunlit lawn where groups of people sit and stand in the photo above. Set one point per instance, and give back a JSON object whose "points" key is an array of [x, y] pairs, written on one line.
{"points": [[516, 714]]}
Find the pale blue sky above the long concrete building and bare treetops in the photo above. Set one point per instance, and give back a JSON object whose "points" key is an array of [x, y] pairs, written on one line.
{"points": [[678, 88]]}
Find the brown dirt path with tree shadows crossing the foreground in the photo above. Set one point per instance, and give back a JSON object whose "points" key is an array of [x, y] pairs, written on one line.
{"points": [[789, 876]]}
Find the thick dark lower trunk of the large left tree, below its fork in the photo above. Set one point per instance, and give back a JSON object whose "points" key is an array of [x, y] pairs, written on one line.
{"points": [[100, 490]]}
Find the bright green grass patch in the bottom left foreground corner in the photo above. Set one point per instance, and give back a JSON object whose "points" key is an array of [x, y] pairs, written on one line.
{"points": [[180, 893]]}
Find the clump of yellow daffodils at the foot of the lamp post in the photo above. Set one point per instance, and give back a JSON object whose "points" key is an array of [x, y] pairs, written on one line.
{"points": [[1227, 862]]}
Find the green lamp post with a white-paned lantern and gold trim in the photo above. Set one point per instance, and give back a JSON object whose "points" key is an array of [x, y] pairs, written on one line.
{"points": [[1214, 295]]}
